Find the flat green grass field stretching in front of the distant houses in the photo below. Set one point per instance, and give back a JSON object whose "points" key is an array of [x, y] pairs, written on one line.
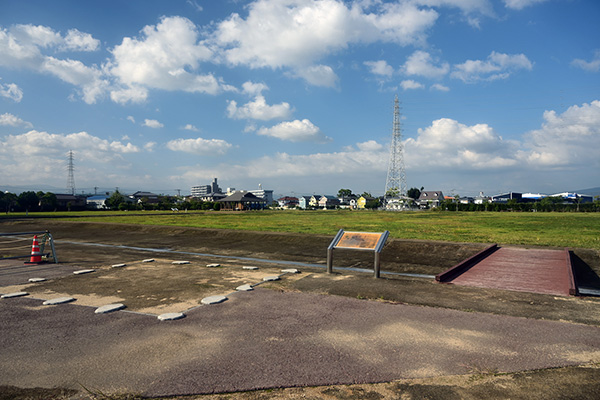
{"points": [[541, 229]]}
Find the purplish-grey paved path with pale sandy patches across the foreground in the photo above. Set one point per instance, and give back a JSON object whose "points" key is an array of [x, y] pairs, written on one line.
{"points": [[267, 339]]}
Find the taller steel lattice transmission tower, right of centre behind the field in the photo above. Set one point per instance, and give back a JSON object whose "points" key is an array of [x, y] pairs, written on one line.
{"points": [[396, 179]]}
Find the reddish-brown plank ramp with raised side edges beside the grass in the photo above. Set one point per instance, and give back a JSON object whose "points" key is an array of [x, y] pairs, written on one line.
{"points": [[526, 270]]}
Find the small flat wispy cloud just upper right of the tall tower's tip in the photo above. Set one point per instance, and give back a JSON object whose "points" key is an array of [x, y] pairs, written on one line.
{"points": [[497, 66]]}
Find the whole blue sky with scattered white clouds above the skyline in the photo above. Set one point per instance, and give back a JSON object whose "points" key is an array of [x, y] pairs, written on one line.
{"points": [[297, 95]]}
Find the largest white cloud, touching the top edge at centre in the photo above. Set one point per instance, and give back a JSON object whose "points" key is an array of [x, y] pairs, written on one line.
{"points": [[298, 33]]}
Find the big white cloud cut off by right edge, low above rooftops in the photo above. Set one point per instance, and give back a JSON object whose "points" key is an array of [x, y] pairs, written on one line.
{"points": [[567, 139]]}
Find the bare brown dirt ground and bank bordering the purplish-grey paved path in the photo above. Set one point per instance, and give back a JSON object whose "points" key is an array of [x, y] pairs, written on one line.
{"points": [[160, 286]]}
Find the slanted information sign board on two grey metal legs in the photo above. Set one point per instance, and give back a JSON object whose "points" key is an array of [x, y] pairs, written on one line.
{"points": [[364, 241]]}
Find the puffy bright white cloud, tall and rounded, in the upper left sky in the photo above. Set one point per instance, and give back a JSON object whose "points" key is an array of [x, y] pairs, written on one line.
{"points": [[166, 56]]}
